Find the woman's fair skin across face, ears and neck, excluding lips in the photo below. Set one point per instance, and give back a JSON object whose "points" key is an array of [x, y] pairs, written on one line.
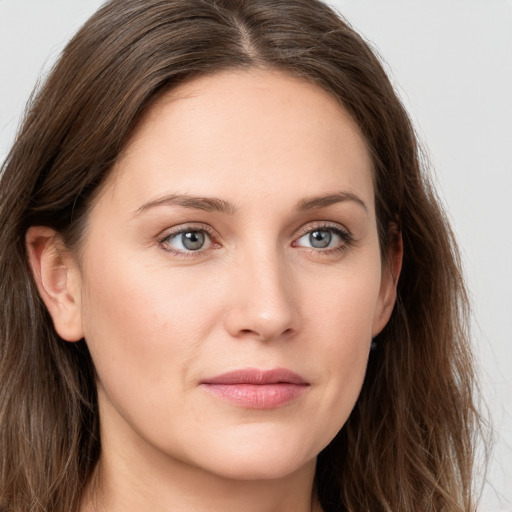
{"points": [[159, 319]]}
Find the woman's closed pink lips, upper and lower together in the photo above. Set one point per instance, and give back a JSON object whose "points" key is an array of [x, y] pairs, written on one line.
{"points": [[252, 388]]}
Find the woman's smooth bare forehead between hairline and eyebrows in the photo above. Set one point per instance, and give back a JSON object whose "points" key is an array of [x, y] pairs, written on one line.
{"points": [[259, 133]]}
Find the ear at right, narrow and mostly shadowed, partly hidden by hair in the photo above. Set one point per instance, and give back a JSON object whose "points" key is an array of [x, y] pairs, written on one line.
{"points": [[389, 280]]}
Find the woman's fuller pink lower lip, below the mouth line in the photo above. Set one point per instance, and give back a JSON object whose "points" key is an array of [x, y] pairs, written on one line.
{"points": [[257, 396]]}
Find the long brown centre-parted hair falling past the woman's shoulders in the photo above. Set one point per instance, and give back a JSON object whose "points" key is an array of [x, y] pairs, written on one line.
{"points": [[408, 444]]}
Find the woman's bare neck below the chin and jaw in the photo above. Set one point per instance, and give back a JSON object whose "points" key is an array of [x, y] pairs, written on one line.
{"points": [[187, 489]]}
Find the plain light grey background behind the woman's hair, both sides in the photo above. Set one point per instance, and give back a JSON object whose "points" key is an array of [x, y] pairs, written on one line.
{"points": [[451, 61]]}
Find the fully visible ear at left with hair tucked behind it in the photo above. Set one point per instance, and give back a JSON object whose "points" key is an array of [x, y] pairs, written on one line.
{"points": [[58, 280]]}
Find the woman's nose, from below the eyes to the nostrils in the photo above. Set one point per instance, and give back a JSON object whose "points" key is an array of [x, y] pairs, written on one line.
{"points": [[263, 303]]}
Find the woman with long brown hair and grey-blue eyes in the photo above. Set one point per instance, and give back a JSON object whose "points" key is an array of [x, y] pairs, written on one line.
{"points": [[227, 283]]}
